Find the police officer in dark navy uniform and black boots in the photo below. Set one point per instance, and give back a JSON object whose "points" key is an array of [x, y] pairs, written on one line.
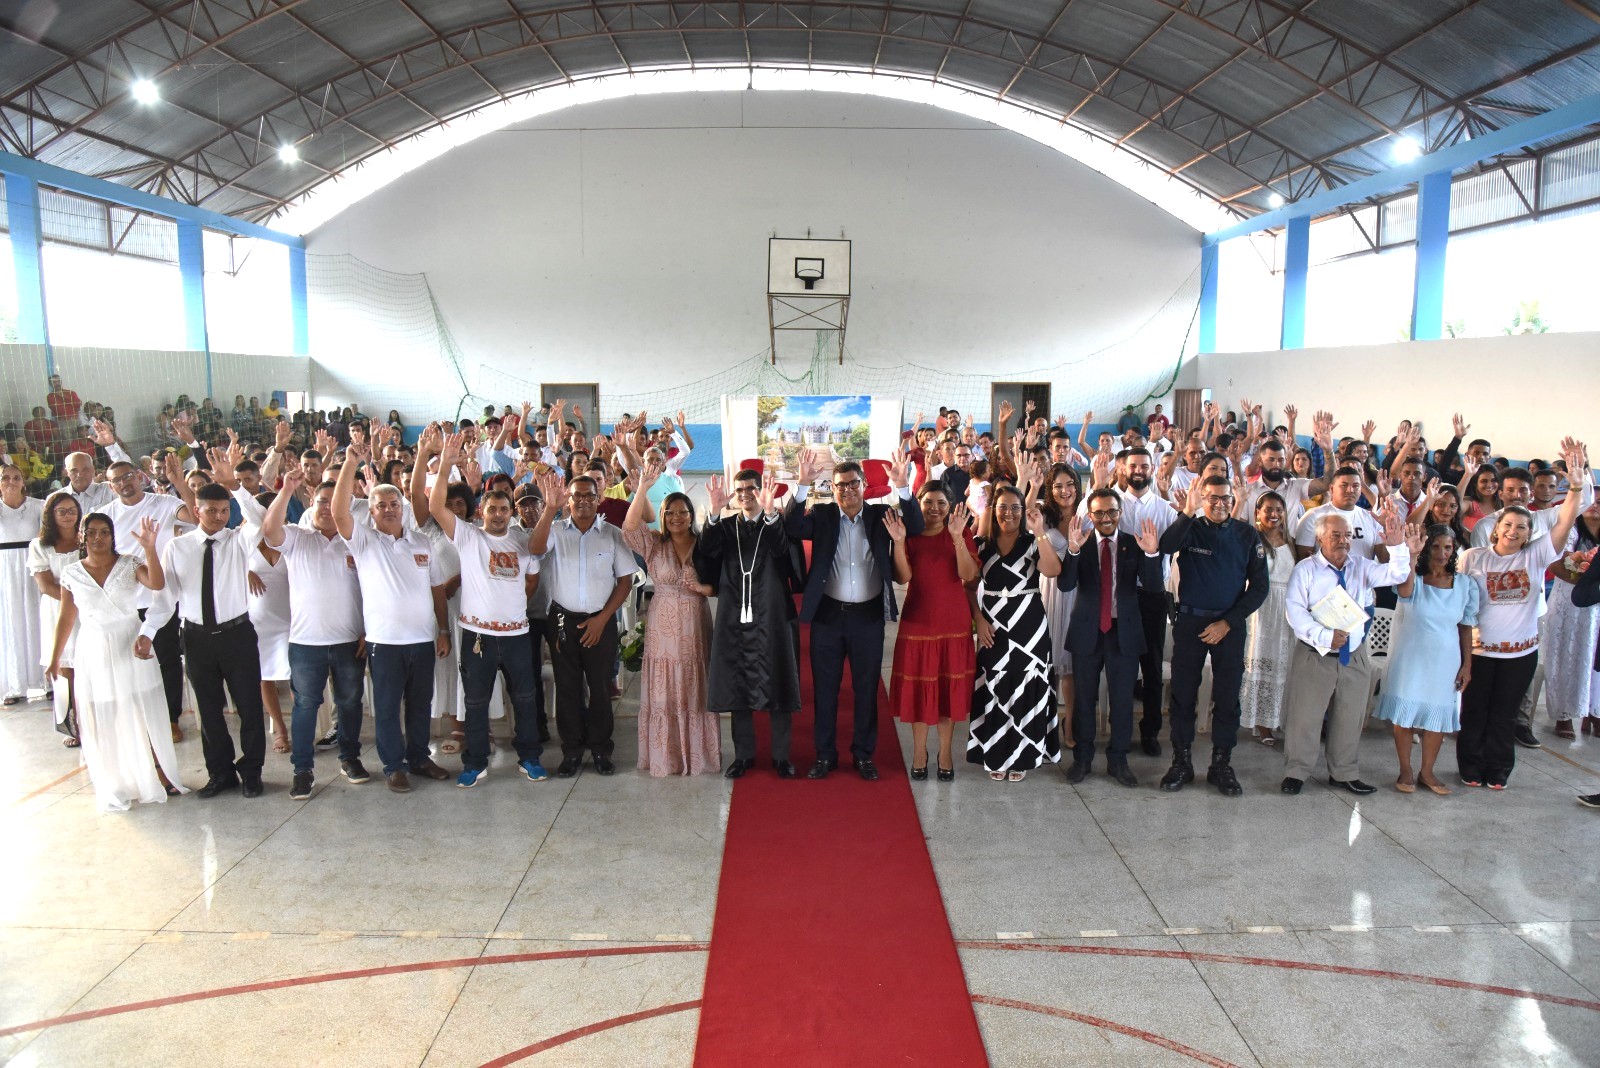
{"points": [[1223, 580]]}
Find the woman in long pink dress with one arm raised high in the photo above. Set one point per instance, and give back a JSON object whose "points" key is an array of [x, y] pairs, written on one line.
{"points": [[678, 736]]}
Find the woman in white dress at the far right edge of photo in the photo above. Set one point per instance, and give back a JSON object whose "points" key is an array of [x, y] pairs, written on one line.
{"points": [[1570, 636]]}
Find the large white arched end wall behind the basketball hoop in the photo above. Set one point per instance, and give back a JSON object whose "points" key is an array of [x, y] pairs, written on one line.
{"points": [[626, 244]]}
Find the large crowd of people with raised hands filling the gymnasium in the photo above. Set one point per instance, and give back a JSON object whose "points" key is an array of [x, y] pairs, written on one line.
{"points": [[1026, 572]]}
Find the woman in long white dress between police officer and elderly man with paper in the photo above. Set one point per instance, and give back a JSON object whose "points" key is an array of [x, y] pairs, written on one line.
{"points": [[1268, 637]]}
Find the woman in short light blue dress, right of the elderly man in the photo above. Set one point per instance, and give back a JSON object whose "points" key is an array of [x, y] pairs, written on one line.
{"points": [[1430, 655]]}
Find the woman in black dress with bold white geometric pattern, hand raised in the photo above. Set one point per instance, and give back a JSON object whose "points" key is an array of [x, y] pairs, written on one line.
{"points": [[1014, 727]]}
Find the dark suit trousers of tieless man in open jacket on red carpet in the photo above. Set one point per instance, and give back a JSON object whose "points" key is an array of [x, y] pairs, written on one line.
{"points": [[847, 632]]}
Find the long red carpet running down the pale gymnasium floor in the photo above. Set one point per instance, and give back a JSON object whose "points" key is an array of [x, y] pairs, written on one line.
{"points": [[831, 946]]}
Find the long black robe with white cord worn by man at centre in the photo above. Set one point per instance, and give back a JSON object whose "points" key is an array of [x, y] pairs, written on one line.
{"points": [[753, 666]]}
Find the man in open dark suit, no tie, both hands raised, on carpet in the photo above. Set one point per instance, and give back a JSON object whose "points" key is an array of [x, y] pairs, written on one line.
{"points": [[849, 596]]}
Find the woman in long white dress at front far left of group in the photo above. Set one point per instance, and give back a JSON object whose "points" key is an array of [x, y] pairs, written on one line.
{"points": [[122, 707]]}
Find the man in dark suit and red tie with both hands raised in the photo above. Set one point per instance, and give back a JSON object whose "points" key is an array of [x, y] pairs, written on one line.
{"points": [[1106, 631]]}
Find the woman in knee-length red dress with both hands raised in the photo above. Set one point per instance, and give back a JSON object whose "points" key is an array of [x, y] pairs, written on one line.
{"points": [[932, 682]]}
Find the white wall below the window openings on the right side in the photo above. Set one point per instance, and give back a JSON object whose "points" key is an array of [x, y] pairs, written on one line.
{"points": [[1522, 393]]}
